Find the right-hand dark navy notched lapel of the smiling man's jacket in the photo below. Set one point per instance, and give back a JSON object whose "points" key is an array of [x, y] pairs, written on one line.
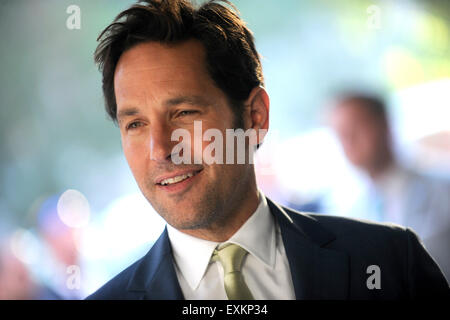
{"points": [[317, 272]]}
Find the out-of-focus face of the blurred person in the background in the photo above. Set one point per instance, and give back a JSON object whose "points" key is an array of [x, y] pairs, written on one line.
{"points": [[361, 134]]}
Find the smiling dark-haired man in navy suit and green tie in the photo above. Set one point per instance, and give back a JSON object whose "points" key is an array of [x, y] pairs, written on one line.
{"points": [[167, 66]]}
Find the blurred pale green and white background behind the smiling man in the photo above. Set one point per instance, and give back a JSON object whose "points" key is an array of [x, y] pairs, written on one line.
{"points": [[71, 214]]}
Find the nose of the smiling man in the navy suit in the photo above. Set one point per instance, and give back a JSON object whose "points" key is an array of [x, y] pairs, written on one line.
{"points": [[160, 144]]}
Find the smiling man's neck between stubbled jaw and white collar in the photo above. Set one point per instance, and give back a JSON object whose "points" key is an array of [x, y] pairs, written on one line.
{"points": [[240, 207]]}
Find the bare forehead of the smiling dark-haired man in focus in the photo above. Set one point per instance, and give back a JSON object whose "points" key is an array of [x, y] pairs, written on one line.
{"points": [[150, 74]]}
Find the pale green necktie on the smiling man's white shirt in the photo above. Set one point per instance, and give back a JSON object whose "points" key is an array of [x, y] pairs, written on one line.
{"points": [[231, 258]]}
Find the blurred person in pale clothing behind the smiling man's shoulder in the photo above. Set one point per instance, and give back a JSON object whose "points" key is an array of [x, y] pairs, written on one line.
{"points": [[389, 191]]}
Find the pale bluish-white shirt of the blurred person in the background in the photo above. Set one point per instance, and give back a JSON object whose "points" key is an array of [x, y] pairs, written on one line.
{"points": [[404, 197]]}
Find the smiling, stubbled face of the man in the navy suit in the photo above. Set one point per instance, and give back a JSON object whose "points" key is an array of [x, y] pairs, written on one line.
{"points": [[161, 88]]}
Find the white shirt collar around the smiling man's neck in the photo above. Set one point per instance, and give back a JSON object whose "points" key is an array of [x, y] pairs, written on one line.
{"points": [[257, 235]]}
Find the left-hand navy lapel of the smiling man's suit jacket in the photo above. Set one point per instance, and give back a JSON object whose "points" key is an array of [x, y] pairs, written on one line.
{"points": [[155, 277]]}
